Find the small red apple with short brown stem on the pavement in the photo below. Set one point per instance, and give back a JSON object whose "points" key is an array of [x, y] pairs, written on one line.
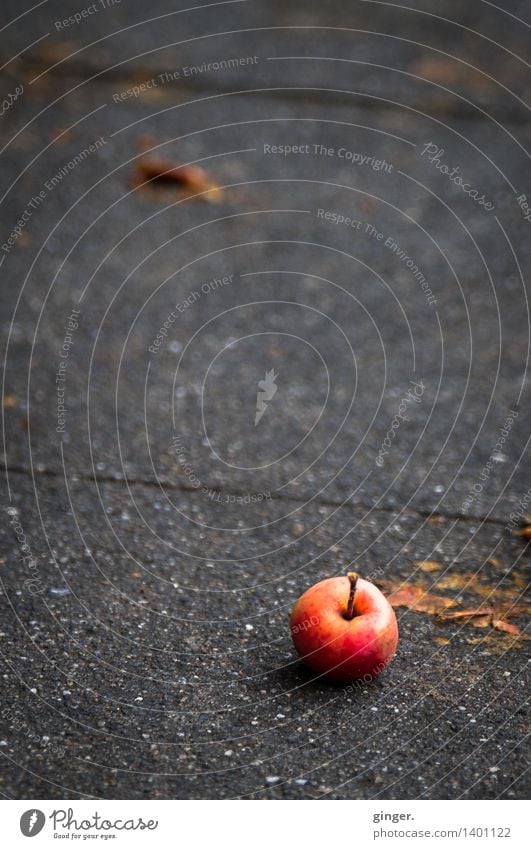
{"points": [[345, 629]]}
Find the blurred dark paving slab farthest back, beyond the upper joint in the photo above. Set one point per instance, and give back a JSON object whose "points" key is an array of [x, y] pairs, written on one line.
{"points": [[441, 57]]}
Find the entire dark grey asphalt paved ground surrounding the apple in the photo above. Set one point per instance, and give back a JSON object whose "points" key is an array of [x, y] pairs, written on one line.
{"points": [[154, 538]]}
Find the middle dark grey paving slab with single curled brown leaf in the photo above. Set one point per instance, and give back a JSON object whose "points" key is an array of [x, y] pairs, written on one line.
{"points": [[185, 305]]}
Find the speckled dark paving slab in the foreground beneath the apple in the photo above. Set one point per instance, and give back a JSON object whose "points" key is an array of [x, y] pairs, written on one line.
{"points": [[145, 663]]}
